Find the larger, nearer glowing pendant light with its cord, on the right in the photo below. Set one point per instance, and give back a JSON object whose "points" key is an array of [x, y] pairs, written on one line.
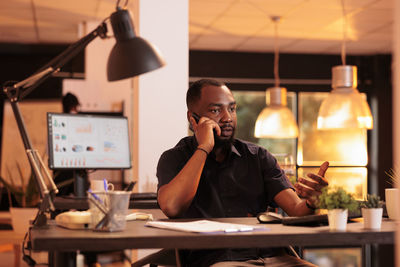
{"points": [[345, 107]]}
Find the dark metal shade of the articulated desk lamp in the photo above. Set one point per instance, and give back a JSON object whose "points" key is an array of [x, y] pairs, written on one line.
{"points": [[131, 55]]}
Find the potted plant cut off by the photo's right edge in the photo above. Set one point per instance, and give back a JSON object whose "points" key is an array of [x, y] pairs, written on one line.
{"points": [[392, 195]]}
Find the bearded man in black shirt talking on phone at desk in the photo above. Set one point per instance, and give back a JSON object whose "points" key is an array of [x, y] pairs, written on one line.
{"points": [[214, 175]]}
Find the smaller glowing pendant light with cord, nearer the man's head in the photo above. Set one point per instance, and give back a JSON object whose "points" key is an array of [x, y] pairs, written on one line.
{"points": [[276, 120]]}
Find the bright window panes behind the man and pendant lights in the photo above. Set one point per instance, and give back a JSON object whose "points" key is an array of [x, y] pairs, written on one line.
{"points": [[346, 150]]}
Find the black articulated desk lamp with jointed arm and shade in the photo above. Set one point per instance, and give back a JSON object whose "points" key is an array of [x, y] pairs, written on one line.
{"points": [[131, 56]]}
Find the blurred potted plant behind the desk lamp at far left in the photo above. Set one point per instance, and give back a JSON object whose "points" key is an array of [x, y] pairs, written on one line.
{"points": [[26, 197]]}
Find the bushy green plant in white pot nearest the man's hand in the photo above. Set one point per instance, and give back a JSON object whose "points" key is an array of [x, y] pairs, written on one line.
{"points": [[338, 202]]}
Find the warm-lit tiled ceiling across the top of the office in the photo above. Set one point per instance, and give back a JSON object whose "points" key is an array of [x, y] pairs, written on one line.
{"points": [[306, 26]]}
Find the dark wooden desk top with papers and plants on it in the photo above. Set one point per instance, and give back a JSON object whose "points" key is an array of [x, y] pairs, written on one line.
{"points": [[136, 235]]}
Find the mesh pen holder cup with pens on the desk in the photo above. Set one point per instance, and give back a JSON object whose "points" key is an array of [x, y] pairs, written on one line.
{"points": [[115, 204]]}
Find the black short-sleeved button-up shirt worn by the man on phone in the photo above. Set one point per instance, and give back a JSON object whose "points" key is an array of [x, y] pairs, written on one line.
{"points": [[243, 185]]}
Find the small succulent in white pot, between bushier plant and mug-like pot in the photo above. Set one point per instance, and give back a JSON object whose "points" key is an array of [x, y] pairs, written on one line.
{"points": [[371, 209]]}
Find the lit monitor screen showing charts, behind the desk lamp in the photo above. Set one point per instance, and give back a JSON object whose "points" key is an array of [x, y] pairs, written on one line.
{"points": [[81, 141]]}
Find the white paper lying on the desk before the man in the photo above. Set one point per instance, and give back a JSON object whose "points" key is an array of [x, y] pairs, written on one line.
{"points": [[205, 226]]}
